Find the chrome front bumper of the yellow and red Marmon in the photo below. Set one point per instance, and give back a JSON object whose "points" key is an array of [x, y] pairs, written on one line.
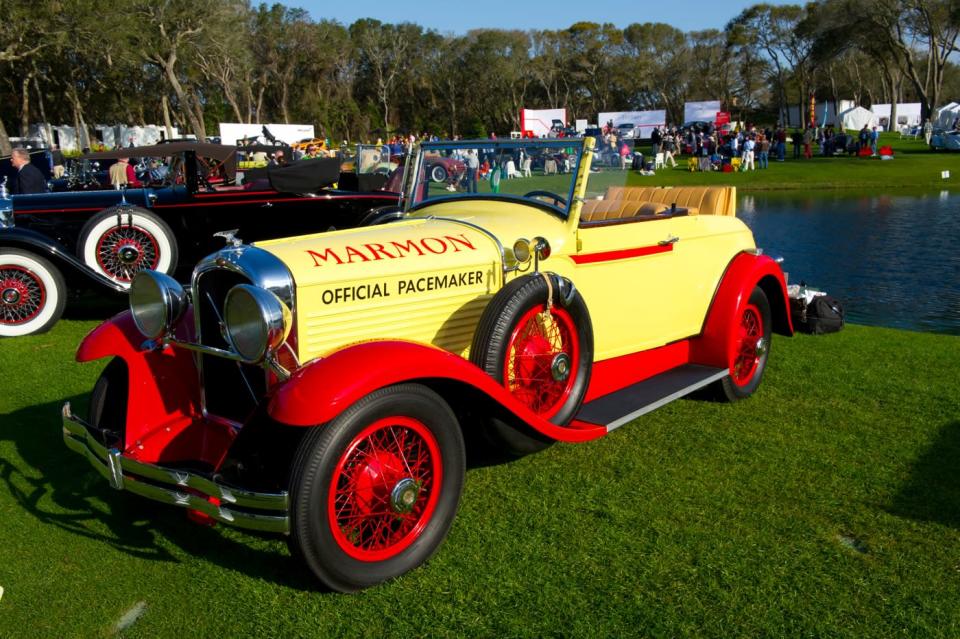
{"points": [[167, 485]]}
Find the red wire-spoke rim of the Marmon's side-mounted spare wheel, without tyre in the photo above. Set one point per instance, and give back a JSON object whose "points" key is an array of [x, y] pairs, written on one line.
{"points": [[542, 355]]}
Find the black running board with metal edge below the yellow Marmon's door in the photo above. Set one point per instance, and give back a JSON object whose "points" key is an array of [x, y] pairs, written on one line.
{"points": [[618, 408]]}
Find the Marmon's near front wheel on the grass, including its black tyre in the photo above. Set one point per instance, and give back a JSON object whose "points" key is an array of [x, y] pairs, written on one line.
{"points": [[374, 492]]}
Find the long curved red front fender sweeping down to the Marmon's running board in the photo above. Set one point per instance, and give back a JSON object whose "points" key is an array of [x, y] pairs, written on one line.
{"points": [[323, 389]]}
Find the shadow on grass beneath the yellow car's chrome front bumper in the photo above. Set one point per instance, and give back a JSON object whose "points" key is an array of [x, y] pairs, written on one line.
{"points": [[60, 488]]}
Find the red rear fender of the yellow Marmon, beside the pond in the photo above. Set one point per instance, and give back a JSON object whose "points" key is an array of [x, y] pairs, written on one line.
{"points": [[745, 272]]}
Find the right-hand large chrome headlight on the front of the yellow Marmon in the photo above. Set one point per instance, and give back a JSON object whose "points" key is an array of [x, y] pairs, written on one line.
{"points": [[257, 322]]}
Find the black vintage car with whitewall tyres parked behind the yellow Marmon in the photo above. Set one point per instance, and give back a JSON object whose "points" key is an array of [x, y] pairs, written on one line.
{"points": [[50, 241]]}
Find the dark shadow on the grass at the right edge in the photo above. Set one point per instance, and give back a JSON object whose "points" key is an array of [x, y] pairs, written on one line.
{"points": [[932, 493]]}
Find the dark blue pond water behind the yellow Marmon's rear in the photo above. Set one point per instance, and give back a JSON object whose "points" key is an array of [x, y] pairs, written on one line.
{"points": [[893, 260]]}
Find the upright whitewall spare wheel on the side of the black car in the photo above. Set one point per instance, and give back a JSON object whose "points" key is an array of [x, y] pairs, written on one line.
{"points": [[120, 241]]}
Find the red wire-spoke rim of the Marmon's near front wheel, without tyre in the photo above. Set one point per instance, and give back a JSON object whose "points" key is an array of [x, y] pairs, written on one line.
{"points": [[383, 489]]}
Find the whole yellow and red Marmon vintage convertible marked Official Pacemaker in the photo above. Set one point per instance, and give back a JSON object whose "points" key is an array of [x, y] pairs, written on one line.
{"points": [[321, 386]]}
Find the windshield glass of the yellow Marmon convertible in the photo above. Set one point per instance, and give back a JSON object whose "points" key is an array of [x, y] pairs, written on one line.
{"points": [[538, 170]]}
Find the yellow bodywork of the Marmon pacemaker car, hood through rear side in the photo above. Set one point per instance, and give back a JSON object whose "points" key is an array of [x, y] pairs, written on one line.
{"points": [[435, 272]]}
